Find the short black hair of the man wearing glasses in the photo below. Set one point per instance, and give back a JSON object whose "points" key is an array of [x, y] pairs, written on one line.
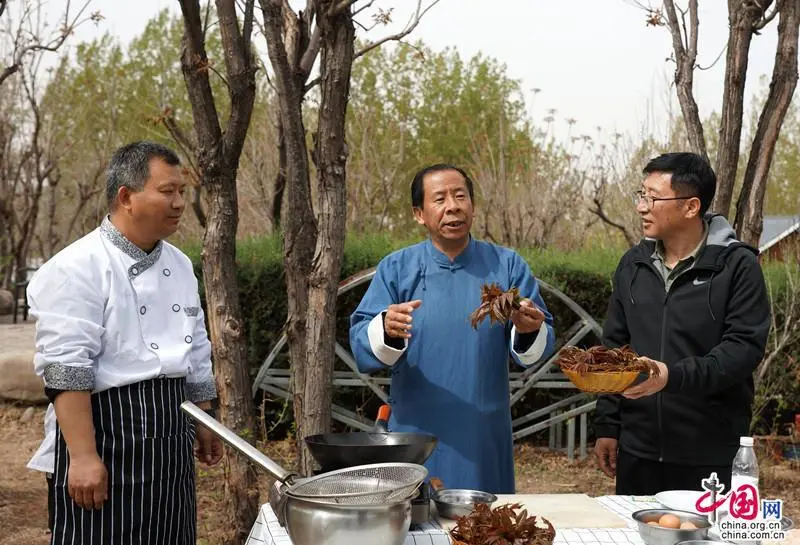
{"points": [[692, 176]]}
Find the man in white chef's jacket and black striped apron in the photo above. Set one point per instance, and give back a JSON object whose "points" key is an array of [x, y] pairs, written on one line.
{"points": [[121, 342]]}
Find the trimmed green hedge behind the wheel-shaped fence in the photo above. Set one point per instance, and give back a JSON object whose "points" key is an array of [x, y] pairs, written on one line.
{"points": [[585, 276]]}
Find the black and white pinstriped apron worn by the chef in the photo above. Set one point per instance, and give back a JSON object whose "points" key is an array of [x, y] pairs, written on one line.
{"points": [[146, 443]]}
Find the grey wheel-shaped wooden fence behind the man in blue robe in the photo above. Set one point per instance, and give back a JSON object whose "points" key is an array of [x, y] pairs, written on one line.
{"points": [[557, 418]]}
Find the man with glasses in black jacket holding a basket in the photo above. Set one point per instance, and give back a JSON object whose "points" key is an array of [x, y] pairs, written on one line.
{"points": [[691, 298]]}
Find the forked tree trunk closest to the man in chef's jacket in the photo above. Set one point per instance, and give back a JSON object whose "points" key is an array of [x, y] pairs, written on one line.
{"points": [[218, 156]]}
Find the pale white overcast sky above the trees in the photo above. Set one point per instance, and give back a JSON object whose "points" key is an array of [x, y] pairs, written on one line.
{"points": [[593, 60]]}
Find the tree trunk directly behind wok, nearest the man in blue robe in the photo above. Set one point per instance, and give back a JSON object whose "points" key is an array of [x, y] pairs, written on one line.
{"points": [[330, 155]]}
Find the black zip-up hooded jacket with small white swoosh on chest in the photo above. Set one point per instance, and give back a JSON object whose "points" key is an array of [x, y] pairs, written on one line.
{"points": [[710, 329]]}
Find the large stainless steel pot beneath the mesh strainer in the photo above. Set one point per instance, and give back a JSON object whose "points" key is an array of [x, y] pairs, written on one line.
{"points": [[310, 522]]}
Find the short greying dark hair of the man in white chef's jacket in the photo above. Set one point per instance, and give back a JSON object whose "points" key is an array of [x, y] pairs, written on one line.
{"points": [[130, 166]]}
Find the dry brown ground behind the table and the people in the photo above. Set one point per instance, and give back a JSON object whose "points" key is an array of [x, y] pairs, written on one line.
{"points": [[23, 496]]}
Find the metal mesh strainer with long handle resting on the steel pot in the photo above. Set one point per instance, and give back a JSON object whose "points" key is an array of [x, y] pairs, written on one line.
{"points": [[359, 485]]}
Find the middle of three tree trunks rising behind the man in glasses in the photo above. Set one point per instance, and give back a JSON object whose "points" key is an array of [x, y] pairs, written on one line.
{"points": [[742, 18]]}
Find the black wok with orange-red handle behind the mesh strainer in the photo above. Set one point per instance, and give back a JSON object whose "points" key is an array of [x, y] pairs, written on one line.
{"points": [[339, 450]]}
